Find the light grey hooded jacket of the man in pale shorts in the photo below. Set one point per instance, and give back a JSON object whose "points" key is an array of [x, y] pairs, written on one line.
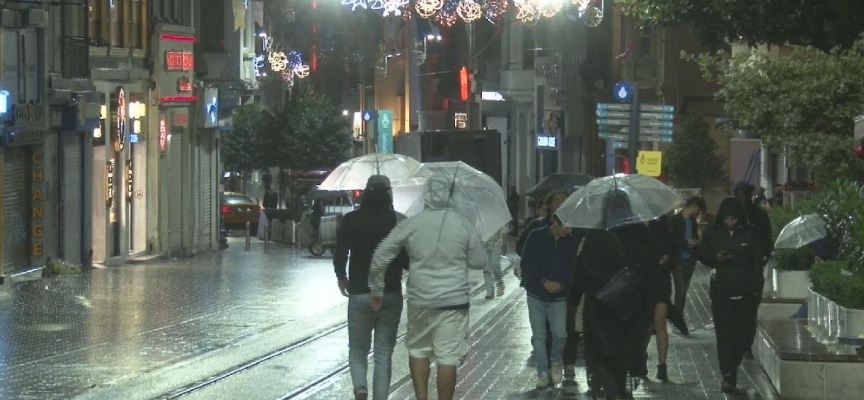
{"points": [[442, 245]]}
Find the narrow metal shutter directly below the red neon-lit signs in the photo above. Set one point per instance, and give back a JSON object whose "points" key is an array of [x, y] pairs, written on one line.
{"points": [[175, 195]]}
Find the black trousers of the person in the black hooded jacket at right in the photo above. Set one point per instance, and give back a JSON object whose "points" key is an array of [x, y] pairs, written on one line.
{"points": [[734, 320]]}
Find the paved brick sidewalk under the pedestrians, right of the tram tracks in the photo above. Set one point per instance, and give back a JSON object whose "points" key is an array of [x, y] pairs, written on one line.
{"points": [[499, 364]]}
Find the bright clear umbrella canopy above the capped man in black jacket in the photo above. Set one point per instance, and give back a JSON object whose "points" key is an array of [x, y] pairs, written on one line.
{"points": [[354, 173]]}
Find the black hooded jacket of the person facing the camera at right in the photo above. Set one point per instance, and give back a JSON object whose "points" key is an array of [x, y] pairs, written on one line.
{"points": [[741, 274]]}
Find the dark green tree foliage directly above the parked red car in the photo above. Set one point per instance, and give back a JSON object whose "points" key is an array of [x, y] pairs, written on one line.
{"points": [[241, 148]]}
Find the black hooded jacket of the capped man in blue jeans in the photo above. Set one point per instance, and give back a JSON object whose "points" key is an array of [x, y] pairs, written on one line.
{"points": [[360, 233]]}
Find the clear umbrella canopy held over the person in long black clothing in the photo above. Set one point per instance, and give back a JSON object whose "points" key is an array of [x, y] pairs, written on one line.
{"points": [[617, 200]]}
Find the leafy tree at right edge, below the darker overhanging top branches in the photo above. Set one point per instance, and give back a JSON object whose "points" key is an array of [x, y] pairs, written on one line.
{"points": [[802, 100]]}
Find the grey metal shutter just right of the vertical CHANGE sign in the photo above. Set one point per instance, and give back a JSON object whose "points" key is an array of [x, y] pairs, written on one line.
{"points": [[73, 212]]}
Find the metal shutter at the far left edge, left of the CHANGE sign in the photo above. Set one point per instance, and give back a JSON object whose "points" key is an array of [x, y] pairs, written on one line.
{"points": [[16, 209]]}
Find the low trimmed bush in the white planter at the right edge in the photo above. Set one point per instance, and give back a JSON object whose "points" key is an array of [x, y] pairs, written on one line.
{"points": [[833, 280]]}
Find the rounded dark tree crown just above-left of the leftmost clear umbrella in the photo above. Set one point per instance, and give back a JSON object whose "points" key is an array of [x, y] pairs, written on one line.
{"points": [[314, 134]]}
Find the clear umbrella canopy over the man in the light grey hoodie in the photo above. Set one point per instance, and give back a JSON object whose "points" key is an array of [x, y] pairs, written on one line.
{"points": [[471, 193]]}
